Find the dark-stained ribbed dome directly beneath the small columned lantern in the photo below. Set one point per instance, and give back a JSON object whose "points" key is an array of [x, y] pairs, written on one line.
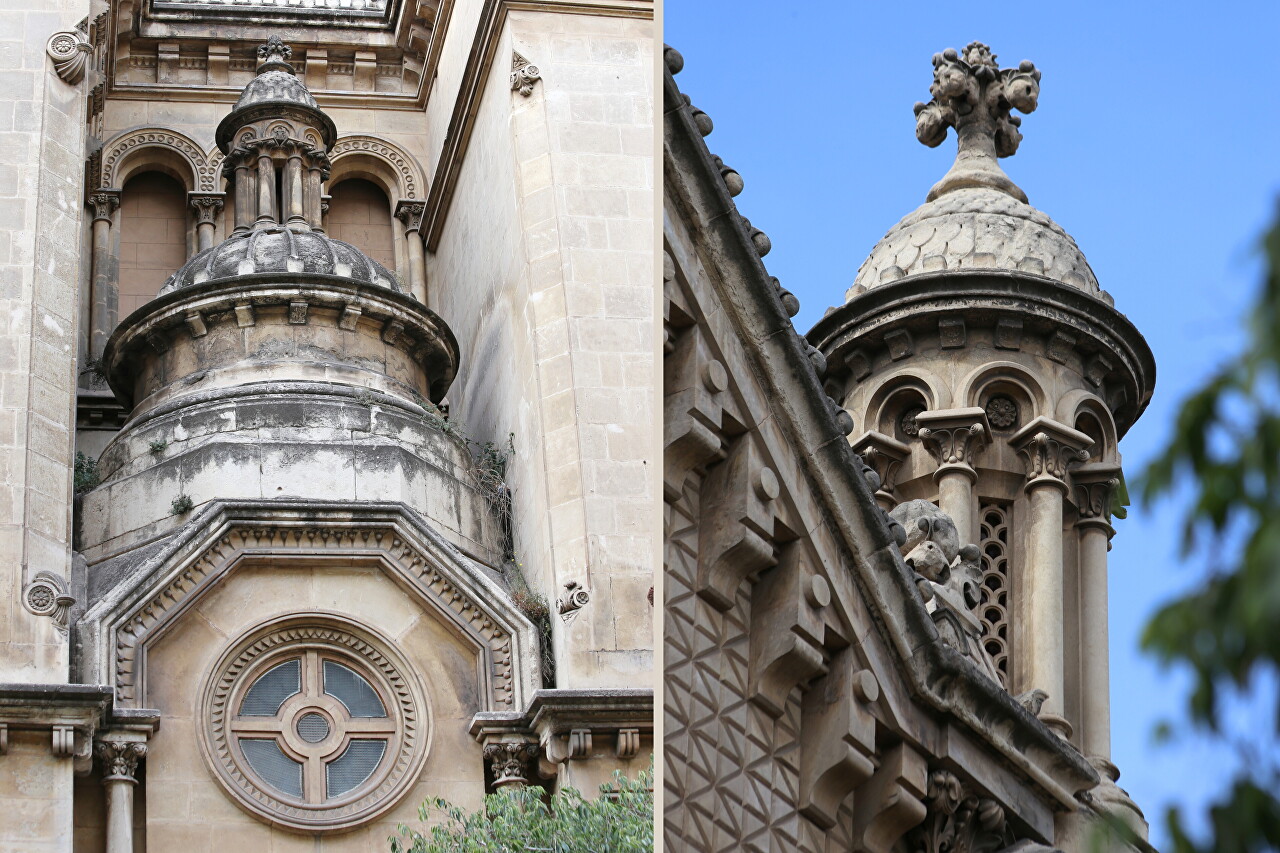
{"points": [[277, 249]]}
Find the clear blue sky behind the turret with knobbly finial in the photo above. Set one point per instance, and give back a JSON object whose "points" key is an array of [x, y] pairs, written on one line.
{"points": [[1156, 145]]}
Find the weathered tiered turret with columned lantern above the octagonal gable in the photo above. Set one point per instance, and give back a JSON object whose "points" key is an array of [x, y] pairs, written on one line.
{"points": [[282, 363]]}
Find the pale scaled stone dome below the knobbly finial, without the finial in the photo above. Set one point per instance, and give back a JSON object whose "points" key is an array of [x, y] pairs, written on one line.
{"points": [[976, 229]]}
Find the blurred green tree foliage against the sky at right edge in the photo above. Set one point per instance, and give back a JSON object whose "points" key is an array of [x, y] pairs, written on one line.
{"points": [[1227, 448]]}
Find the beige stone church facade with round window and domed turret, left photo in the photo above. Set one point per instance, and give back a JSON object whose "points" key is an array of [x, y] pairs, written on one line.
{"points": [[328, 396]]}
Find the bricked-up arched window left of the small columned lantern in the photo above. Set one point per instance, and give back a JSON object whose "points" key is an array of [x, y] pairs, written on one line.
{"points": [[154, 225]]}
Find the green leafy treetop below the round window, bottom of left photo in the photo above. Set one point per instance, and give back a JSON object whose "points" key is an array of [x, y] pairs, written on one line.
{"points": [[524, 819]]}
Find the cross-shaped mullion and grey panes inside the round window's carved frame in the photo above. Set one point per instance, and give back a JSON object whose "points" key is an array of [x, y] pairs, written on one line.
{"points": [[313, 728]]}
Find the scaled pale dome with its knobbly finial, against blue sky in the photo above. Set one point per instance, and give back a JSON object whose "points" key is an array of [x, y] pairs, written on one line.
{"points": [[976, 220]]}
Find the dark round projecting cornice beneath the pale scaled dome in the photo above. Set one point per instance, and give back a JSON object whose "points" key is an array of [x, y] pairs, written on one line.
{"points": [[982, 298]]}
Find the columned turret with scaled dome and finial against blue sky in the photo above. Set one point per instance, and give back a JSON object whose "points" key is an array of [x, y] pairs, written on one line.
{"points": [[986, 371]]}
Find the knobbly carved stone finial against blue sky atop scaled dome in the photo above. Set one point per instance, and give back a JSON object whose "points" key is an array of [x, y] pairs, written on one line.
{"points": [[977, 98]]}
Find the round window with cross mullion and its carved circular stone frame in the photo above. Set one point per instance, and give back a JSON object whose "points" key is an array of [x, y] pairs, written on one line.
{"points": [[316, 724]]}
